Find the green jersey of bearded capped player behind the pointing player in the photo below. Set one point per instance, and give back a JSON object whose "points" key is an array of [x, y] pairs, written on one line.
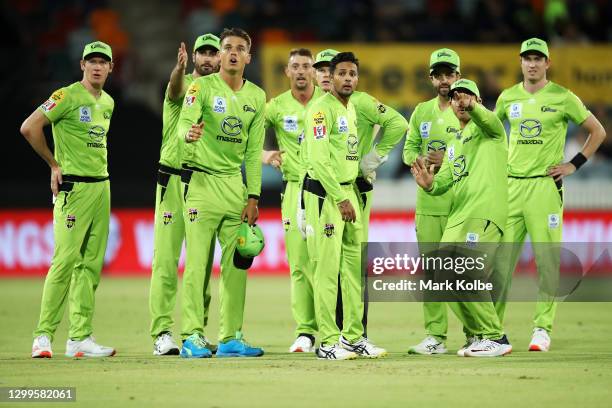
{"points": [[430, 129]]}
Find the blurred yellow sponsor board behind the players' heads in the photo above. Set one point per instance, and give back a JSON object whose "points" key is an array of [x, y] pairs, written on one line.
{"points": [[398, 74]]}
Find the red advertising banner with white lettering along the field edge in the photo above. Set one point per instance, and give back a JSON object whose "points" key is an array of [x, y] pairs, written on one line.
{"points": [[26, 239]]}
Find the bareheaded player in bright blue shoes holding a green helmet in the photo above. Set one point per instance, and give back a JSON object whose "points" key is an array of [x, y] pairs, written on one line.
{"points": [[222, 123]]}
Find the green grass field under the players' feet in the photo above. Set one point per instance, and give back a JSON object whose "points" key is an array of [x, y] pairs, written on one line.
{"points": [[577, 372]]}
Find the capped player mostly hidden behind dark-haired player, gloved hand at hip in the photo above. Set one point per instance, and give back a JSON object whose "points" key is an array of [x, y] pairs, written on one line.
{"points": [[370, 112]]}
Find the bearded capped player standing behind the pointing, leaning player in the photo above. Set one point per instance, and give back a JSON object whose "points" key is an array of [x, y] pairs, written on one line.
{"points": [[432, 125]]}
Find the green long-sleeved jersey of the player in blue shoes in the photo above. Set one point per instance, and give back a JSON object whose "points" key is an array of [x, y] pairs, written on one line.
{"points": [[233, 128]]}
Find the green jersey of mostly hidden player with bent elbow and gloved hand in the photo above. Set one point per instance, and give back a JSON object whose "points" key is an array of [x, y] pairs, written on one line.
{"points": [[371, 112]]}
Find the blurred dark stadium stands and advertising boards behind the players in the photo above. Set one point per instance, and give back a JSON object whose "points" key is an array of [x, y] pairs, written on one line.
{"points": [[43, 42]]}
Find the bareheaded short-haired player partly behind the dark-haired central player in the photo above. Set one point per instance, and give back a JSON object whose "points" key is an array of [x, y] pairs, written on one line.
{"points": [[285, 115]]}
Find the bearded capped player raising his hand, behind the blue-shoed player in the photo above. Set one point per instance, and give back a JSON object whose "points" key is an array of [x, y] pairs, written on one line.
{"points": [[169, 227]]}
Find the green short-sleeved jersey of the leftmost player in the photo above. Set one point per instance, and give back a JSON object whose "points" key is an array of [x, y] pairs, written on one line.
{"points": [[80, 125]]}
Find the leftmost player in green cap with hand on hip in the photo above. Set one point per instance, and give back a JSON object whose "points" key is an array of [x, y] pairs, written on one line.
{"points": [[80, 117]]}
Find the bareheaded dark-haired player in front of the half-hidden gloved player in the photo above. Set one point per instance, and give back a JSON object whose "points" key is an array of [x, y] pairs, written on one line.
{"points": [[333, 220]]}
